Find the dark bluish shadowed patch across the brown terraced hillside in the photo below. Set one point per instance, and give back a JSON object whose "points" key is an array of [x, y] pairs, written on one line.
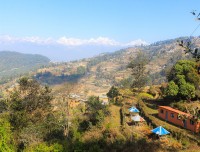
{"points": [[50, 79]]}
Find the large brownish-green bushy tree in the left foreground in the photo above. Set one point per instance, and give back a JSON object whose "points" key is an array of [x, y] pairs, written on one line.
{"points": [[30, 112]]}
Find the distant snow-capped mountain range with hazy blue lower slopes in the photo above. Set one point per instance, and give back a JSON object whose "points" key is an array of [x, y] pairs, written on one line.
{"points": [[64, 49]]}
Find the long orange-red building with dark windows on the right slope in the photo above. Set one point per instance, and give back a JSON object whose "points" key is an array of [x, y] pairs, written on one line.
{"points": [[174, 116]]}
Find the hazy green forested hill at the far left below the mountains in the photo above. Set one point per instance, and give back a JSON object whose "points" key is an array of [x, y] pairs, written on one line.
{"points": [[13, 64]]}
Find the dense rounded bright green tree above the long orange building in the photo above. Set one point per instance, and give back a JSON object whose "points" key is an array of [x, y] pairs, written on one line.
{"points": [[183, 80]]}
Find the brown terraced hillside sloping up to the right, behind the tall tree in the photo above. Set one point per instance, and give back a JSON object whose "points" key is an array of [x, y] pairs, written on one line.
{"points": [[96, 75]]}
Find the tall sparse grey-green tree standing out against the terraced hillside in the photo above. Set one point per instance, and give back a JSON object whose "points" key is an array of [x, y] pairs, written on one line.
{"points": [[137, 66]]}
